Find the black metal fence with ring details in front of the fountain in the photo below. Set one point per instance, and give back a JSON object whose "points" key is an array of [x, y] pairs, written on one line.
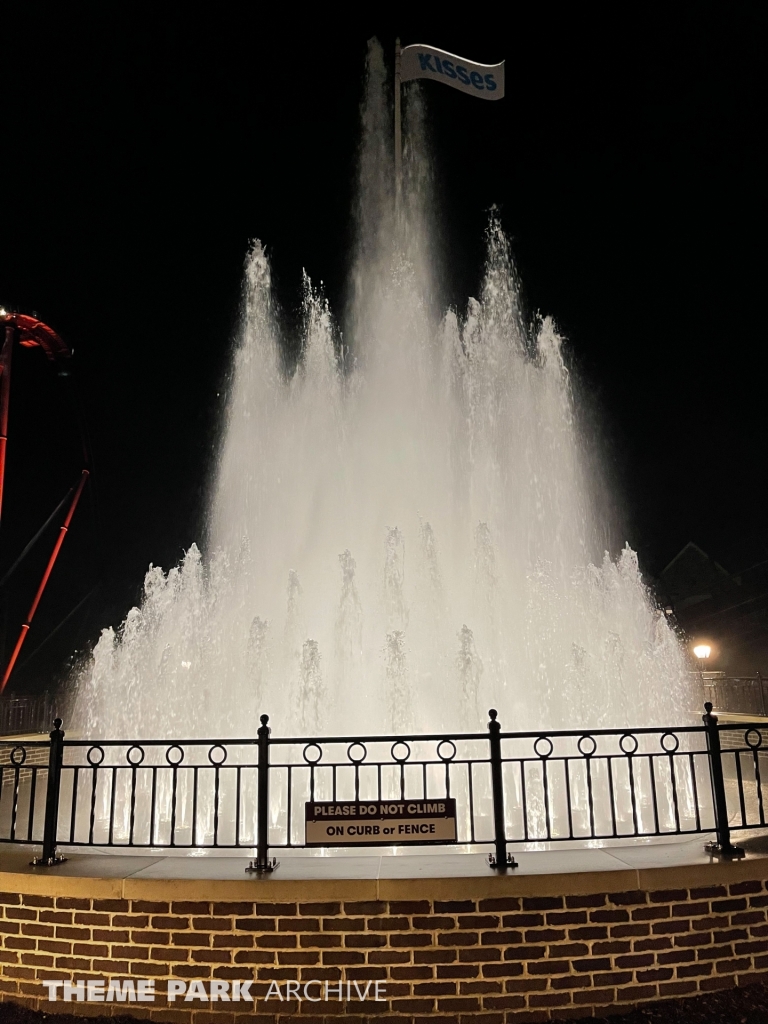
{"points": [[509, 788]]}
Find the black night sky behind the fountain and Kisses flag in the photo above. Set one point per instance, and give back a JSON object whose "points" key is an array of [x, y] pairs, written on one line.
{"points": [[143, 150]]}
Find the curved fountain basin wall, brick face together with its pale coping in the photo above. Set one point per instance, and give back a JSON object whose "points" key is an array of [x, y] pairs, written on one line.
{"points": [[569, 930]]}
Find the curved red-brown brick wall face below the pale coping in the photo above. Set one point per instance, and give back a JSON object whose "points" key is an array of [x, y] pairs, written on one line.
{"points": [[509, 959]]}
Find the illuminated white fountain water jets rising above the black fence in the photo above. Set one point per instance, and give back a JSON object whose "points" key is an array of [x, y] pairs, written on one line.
{"points": [[403, 531]]}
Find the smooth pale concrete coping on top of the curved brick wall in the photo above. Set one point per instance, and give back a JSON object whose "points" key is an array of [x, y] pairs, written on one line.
{"points": [[575, 872]]}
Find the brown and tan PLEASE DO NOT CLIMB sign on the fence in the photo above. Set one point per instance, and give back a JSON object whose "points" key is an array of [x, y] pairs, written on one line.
{"points": [[380, 823]]}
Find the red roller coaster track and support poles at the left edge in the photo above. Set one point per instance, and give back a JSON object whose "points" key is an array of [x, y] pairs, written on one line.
{"points": [[30, 333]]}
